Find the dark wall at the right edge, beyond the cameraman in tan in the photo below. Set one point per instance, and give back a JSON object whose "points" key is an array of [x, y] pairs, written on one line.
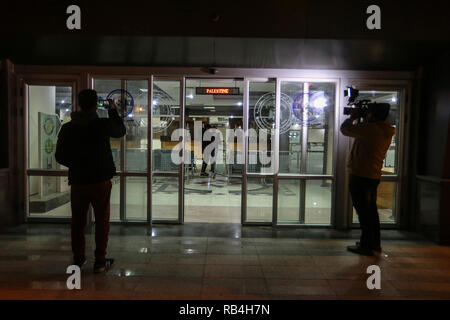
{"points": [[433, 152]]}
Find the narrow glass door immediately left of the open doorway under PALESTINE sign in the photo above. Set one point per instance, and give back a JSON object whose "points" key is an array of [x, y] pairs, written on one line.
{"points": [[167, 150]]}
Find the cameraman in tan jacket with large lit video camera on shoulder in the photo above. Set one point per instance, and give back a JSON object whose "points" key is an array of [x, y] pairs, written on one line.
{"points": [[372, 138]]}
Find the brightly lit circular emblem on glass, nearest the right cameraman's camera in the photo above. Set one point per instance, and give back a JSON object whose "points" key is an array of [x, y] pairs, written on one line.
{"points": [[310, 110]]}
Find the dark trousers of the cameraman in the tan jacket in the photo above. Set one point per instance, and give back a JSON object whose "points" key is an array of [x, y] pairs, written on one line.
{"points": [[364, 198]]}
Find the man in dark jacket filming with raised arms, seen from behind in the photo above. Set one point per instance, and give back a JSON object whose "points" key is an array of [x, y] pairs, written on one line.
{"points": [[83, 146]]}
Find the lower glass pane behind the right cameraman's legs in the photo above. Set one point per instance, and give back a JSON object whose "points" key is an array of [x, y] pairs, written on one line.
{"points": [[386, 197]]}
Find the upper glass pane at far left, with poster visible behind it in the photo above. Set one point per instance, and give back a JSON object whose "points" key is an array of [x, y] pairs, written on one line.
{"points": [[49, 108]]}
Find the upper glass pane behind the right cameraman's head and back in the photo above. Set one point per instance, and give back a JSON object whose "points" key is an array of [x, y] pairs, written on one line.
{"points": [[391, 97]]}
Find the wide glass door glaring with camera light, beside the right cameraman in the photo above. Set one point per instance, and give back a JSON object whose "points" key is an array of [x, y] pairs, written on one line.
{"points": [[306, 144]]}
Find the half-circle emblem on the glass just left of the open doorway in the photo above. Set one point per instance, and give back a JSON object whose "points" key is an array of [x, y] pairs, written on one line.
{"points": [[163, 110]]}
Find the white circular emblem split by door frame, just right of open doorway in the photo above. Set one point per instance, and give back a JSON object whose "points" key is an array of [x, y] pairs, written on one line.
{"points": [[264, 112]]}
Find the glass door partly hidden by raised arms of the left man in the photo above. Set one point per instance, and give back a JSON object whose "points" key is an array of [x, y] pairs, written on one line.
{"points": [[130, 153]]}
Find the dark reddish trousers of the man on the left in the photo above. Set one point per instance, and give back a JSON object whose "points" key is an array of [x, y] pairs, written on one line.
{"points": [[98, 195]]}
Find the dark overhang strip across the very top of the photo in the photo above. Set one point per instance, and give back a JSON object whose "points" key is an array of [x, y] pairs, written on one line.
{"points": [[307, 19]]}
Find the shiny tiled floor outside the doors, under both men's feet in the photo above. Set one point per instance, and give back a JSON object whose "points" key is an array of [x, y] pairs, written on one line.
{"points": [[221, 261]]}
